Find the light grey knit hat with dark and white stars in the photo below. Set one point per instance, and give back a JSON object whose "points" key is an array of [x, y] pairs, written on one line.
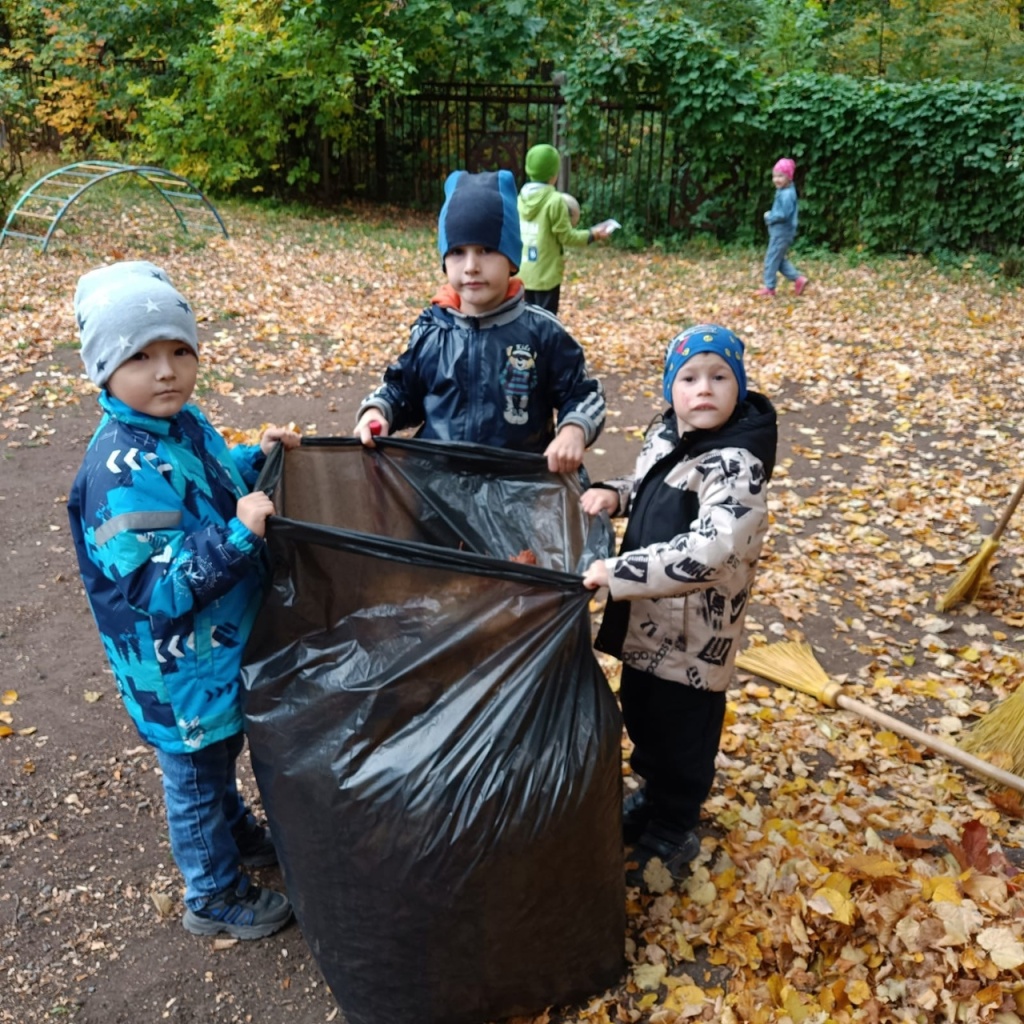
{"points": [[123, 308]]}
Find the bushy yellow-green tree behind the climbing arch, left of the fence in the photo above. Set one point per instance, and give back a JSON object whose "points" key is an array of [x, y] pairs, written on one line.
{"points": [[269, 93]]}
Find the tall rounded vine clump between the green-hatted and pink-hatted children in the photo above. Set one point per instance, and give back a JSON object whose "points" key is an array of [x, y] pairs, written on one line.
{"points": [[649, 55]]}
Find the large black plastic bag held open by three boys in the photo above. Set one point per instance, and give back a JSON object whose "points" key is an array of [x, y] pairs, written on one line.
{"points": [[436, 746]]}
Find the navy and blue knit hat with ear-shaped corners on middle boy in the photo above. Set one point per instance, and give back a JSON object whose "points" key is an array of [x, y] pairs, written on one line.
{"points": [[481, 210]]}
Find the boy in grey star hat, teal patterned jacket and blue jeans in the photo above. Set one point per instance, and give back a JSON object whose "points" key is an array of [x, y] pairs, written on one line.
{"points": [[170, 546]]}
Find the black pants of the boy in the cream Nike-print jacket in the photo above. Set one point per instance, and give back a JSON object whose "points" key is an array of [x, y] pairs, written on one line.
{"points": [[675, 731]]}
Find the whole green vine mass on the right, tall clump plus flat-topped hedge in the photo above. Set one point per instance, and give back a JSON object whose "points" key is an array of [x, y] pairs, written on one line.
{"points": [[887, 167]]}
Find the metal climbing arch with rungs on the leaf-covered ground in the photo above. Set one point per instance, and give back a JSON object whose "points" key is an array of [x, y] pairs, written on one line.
{"points": [[44, 205]]}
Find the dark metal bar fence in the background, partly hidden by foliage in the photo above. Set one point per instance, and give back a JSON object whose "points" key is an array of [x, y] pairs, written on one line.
{"points": [[405, 156]]}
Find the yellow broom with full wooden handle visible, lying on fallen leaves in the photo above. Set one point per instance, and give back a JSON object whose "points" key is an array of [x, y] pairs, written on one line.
{"points": [[793, 664]]}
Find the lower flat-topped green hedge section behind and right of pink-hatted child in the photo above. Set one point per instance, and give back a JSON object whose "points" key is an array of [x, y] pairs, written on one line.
{"points": [[892, 167]]}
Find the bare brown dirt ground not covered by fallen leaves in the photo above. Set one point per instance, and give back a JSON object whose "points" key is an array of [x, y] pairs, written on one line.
{"points": [[84, 860]]}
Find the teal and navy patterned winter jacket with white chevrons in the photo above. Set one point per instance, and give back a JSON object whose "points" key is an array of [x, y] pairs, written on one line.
{"points": [[174, 578]]}
